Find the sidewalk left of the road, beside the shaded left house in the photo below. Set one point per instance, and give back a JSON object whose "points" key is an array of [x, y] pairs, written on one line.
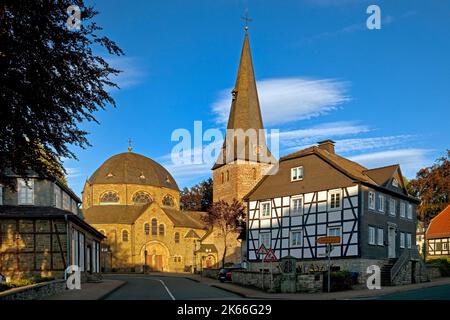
{"points": [[89, 291]]}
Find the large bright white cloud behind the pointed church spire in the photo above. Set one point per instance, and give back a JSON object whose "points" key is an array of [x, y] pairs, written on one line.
{"points": [[286, 100]]}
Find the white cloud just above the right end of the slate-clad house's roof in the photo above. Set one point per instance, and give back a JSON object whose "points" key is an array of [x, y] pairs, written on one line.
{"points": [[410, 160]]}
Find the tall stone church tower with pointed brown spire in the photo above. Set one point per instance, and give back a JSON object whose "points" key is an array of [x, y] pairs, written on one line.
{"points": [[243, 160]]}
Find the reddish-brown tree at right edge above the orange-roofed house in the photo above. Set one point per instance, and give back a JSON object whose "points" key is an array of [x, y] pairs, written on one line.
{"points": [[432, 186]]}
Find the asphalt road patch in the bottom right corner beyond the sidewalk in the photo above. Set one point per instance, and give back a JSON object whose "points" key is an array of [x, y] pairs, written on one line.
{"points": [[432, 293]]}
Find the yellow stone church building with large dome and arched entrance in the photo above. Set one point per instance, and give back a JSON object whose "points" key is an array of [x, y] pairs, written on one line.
{"points": [[134, 201]]}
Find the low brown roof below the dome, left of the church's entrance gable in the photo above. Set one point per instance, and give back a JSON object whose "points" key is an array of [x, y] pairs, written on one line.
{"points": [[109, 214]]}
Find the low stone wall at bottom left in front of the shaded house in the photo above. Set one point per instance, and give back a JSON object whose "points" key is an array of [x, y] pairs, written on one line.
{"points": [[34, 292]]}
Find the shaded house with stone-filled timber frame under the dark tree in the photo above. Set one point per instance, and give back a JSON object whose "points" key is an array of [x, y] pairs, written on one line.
{"points": [[42, 231]]}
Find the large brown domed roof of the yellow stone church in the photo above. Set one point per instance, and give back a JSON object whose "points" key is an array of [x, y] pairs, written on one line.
{"points": [[133, 168]]}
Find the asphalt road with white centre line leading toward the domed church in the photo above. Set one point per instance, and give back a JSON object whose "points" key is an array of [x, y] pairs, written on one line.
{"points": [[141, 287]]}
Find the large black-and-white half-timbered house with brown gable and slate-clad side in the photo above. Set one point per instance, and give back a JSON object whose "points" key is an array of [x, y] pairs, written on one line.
{"points": [[317, 193]]}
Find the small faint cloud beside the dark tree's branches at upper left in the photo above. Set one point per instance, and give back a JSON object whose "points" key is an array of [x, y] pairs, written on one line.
{"points": [[132, 71]]}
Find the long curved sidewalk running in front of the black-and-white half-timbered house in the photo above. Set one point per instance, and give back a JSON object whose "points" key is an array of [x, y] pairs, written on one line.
{"points": [[342, 295]]}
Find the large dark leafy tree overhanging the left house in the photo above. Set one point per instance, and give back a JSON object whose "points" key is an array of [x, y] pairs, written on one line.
{"points": [[50, 81]]}
